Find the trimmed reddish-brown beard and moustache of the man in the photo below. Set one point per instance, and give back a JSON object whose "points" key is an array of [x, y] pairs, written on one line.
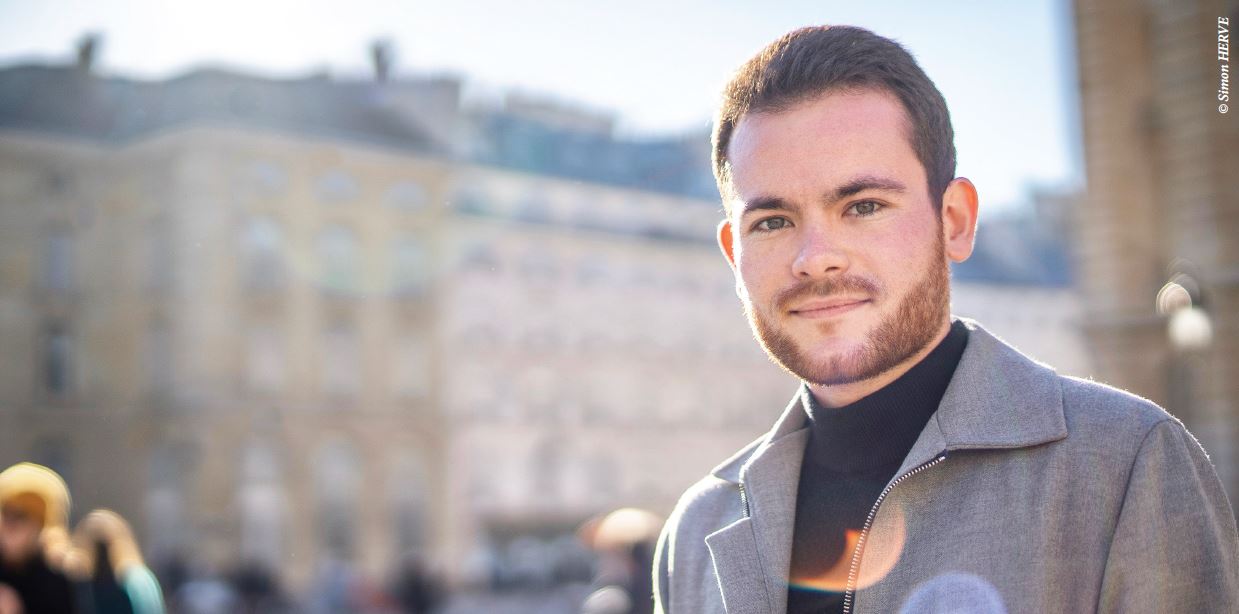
{"points": [[899, 337]]}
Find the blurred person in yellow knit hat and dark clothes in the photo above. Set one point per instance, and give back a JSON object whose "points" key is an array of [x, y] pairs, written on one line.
{"points": [[34, 512]]}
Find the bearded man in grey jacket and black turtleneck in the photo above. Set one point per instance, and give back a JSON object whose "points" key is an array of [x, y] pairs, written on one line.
{"points": [[924, 465]]}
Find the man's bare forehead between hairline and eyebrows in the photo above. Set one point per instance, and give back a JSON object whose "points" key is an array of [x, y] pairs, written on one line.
{"points": [[823, 142]]}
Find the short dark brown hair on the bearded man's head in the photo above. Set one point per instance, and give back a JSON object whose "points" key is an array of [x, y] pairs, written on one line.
{"points": [[815, 61]]}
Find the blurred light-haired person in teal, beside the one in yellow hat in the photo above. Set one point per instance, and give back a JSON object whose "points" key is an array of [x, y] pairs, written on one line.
{"points": [[111, 569]]}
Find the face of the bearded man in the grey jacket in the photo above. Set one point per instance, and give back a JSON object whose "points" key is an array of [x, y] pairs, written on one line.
{"points": [[836, 243]]}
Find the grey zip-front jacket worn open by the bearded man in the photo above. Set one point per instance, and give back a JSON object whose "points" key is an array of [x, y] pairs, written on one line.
{"points": [[1027, 492]]}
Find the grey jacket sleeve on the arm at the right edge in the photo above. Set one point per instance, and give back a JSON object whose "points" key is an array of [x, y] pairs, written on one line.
{"points": [[1175, 547]]}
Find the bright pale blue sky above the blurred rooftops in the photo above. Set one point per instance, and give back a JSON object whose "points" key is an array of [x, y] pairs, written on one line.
{"points": [[1005, 67]]}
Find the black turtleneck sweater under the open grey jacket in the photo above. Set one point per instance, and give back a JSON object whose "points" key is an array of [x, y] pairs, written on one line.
{"points": [[853, 454]]}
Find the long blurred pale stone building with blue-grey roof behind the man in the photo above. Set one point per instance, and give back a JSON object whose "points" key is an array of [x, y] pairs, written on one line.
{"points": [[296, 321]]}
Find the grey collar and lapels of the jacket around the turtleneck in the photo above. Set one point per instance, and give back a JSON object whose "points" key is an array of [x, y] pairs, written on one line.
{"points": [[997, 399]]}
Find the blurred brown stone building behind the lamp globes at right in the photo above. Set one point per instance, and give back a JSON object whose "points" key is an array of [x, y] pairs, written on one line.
{"points": [[1162, 212]]}
